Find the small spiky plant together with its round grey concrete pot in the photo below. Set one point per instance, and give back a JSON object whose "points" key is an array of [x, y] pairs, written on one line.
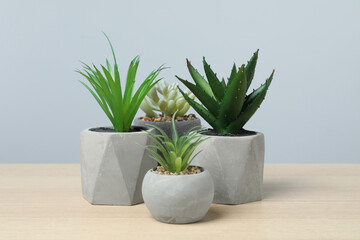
{"points": [[176, 195]]}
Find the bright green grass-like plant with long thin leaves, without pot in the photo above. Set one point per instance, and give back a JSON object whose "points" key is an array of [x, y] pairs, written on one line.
{"points": [[119, 107]]}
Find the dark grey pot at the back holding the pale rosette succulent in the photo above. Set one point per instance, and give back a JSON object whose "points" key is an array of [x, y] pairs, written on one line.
{"points": [[181, 126]]}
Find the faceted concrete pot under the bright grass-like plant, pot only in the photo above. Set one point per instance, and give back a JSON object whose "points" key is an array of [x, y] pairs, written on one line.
{"points": [[113, 166]]}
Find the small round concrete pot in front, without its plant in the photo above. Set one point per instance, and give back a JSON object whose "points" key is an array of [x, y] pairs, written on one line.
{"points": [[178, 198]]}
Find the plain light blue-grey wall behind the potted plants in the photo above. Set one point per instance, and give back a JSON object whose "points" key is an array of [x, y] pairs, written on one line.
{"points": [[311, 113]]}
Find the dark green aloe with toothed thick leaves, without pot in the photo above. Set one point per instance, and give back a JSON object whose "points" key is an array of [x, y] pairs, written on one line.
{"points": [[225, 106]]}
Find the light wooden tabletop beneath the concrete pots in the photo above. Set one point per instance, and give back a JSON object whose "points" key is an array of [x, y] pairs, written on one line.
{"points": [[301, 201]]}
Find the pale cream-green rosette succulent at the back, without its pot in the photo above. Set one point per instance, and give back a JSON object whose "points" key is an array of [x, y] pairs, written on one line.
{"points": [[169, 103]]}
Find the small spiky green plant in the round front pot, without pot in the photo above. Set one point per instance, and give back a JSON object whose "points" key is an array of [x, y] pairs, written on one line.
{"points": [[174, 154]]}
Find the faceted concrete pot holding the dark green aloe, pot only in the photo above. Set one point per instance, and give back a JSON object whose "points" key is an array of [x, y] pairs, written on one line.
{"points": [[236, 165]]}
